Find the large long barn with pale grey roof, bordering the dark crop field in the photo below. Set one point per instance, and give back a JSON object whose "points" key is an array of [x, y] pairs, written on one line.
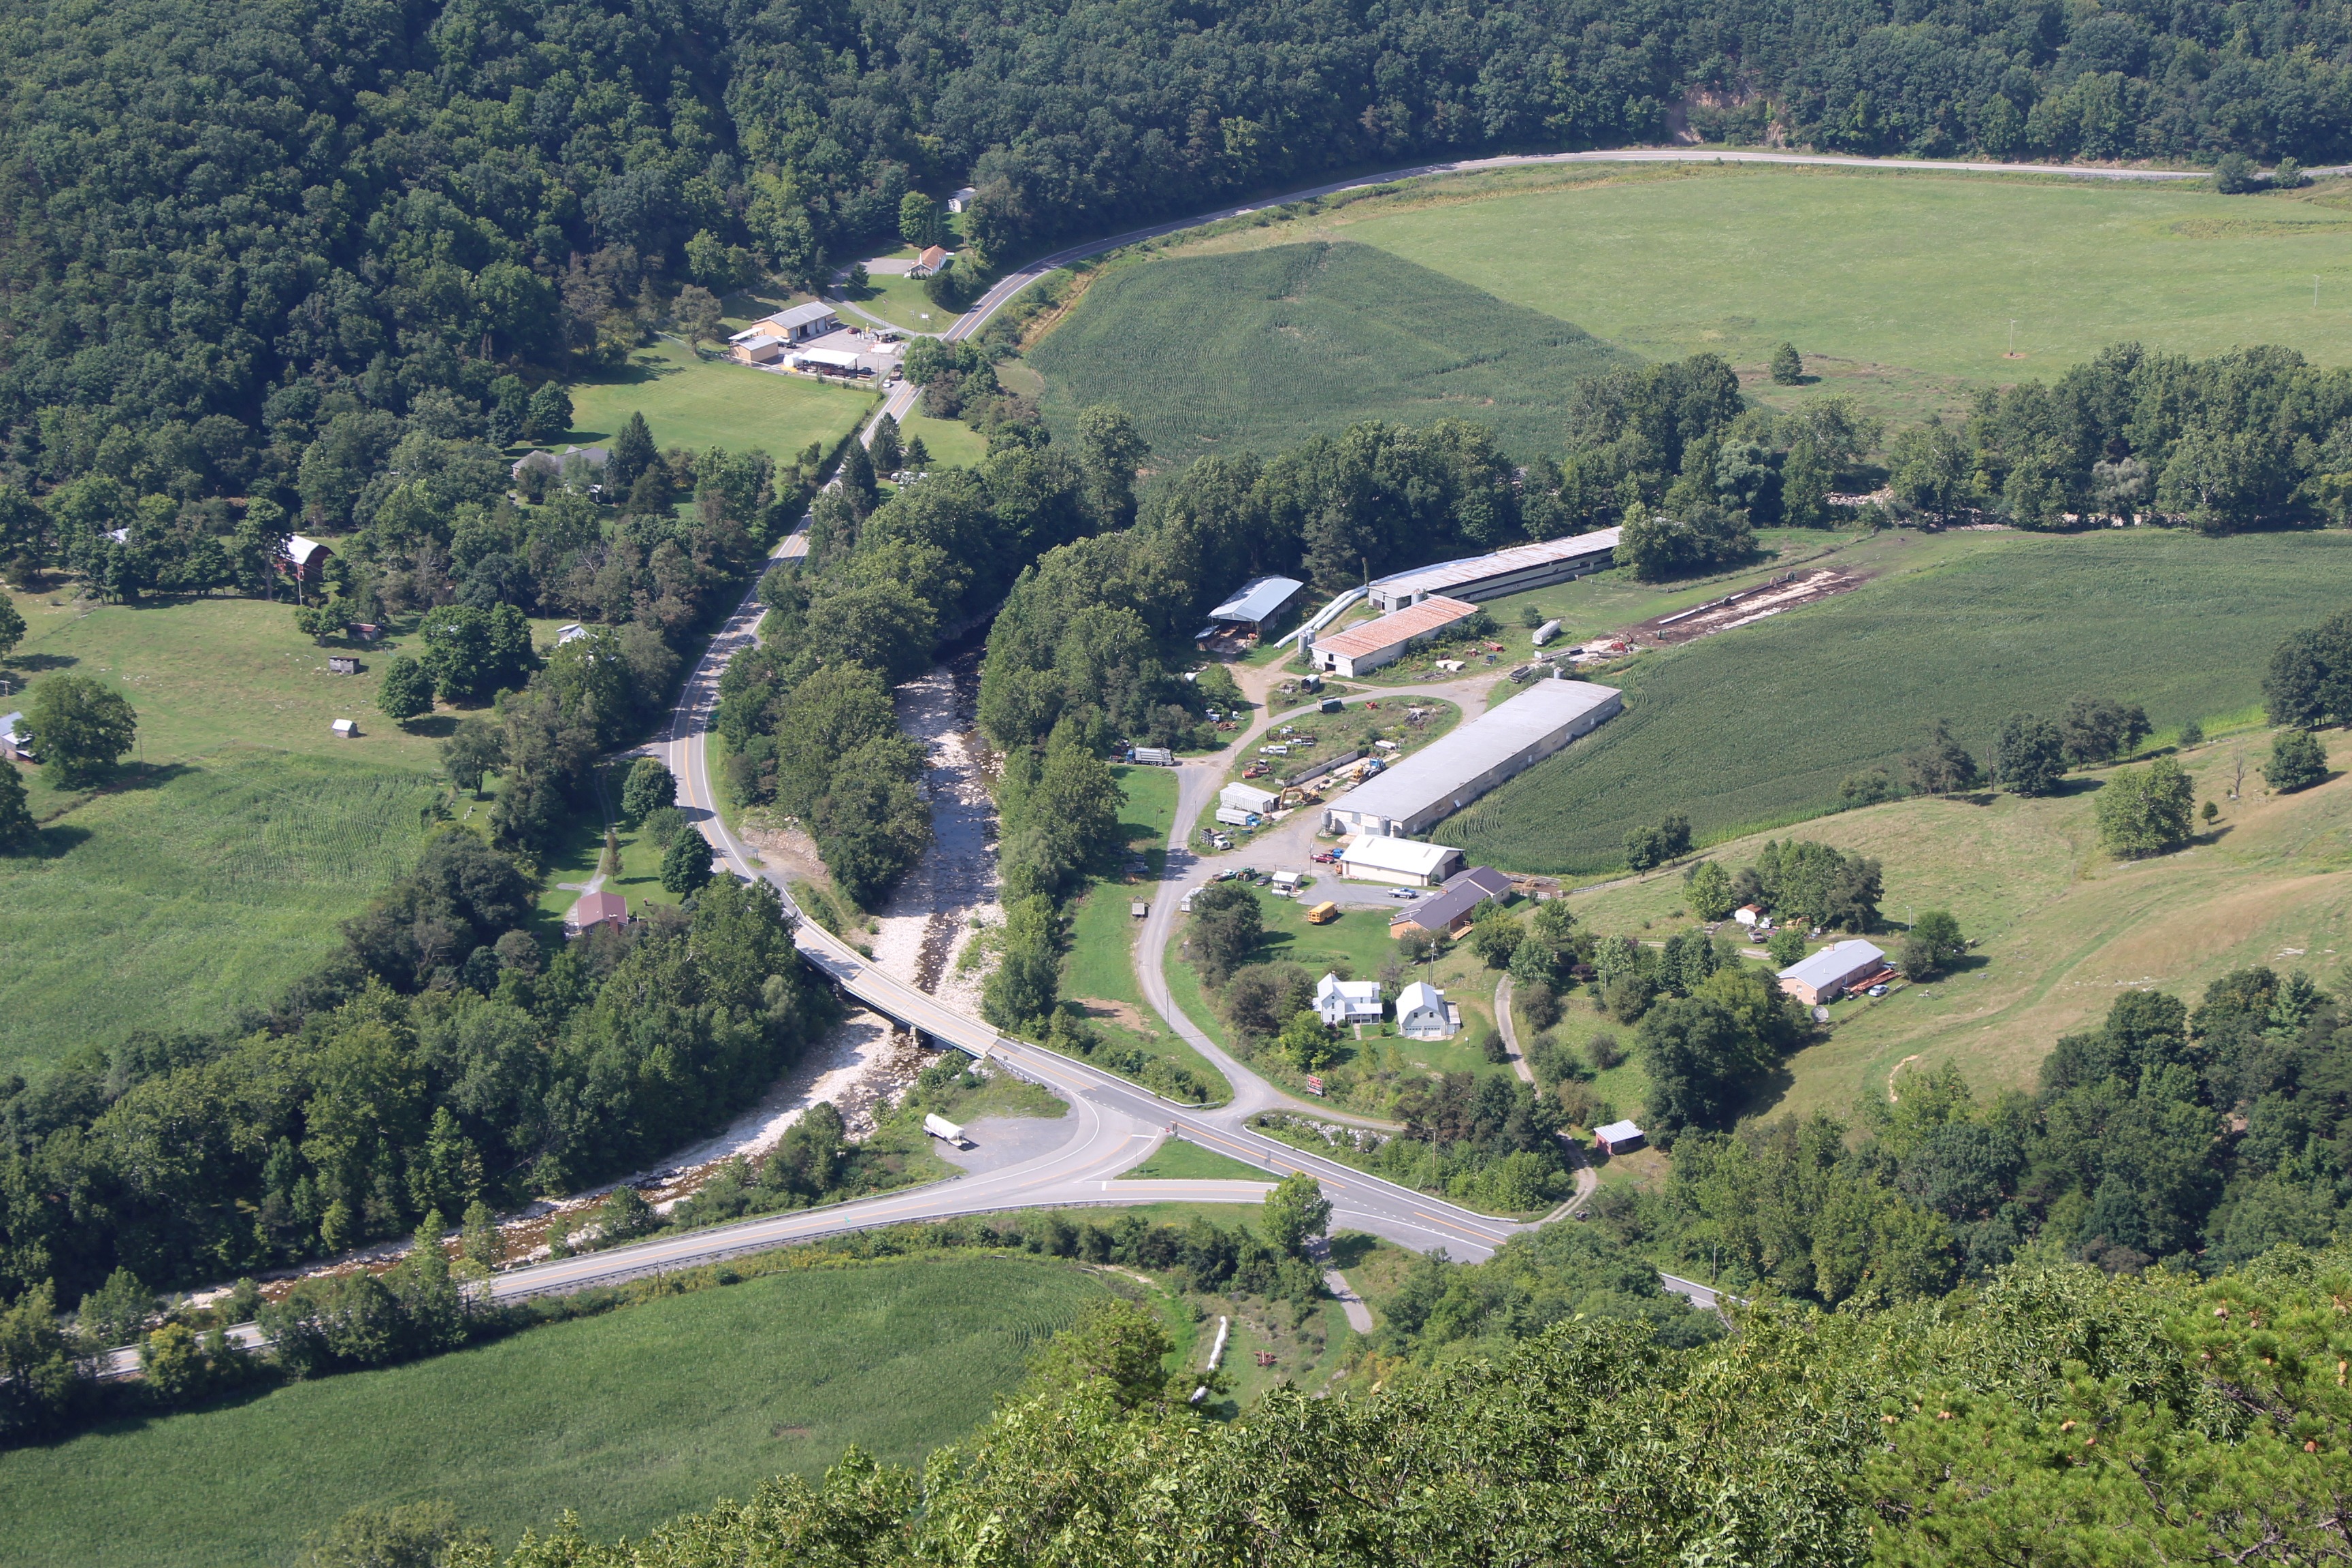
{"points": [[1452, 772]]}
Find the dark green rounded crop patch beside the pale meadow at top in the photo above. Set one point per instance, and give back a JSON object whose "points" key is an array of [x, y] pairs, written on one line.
{"points": [[1264, 349]]}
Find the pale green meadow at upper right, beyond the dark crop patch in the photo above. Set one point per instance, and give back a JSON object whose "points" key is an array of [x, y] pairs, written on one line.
{"points": [[1899, 288]]}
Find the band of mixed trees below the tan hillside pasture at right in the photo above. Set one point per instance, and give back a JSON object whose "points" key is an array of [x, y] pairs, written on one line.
{"points": [[2193, 1137]]}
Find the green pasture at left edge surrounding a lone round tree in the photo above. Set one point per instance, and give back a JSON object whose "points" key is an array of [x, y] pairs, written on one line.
{"points": [[220, 862]]}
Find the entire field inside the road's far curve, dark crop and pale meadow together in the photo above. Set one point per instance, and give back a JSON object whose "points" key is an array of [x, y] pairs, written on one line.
{"points": [[1899, 288]]}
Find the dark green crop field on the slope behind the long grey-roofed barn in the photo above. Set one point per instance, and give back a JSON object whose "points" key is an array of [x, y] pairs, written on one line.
{"points": [[1760, 725]]}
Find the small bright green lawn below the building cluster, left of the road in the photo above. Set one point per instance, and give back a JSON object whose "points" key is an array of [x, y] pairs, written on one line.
{"points": [[714, 403]]}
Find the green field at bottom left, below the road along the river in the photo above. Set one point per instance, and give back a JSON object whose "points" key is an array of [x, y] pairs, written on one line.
{"points": [[627, 1419]]}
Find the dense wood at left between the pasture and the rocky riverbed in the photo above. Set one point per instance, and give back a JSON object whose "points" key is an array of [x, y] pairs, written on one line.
{"points": [[441, 1064]]}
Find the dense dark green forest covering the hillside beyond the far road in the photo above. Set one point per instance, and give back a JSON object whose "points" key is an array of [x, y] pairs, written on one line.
{"points": [[227, 229]]}
